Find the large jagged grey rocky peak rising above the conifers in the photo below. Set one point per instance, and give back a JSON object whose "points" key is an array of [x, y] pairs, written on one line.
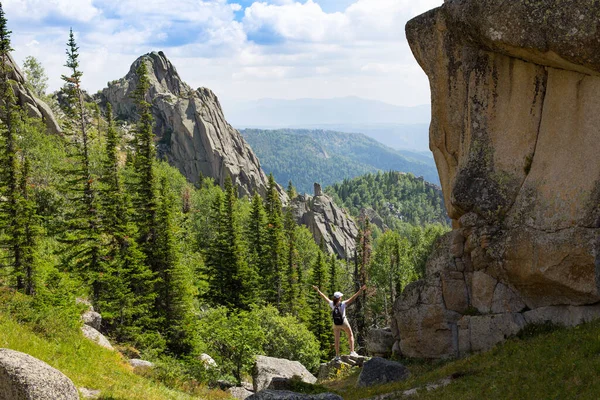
{"points": [[191, 130]]}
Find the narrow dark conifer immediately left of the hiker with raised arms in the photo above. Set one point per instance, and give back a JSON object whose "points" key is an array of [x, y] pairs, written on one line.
{"points": [[320, 323]]}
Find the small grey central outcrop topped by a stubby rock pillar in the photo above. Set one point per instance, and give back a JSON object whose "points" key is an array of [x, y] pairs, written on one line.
{"points": [[327, 222]]}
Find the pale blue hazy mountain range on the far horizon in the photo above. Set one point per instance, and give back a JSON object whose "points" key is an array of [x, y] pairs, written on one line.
{"points": [[395, 126]]}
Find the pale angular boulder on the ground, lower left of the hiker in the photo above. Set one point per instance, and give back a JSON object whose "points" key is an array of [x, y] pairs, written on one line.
{"points": [[267, 368]]}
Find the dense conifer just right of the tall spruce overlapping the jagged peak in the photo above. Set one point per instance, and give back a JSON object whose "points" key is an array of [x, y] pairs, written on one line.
{"points": [[175, 295]]}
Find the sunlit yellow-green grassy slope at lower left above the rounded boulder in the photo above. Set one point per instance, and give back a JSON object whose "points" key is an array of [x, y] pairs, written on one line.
{"points": [[84, 362]]}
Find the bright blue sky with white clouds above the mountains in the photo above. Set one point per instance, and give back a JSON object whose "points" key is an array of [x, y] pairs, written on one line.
{"points": [[241, 49]]}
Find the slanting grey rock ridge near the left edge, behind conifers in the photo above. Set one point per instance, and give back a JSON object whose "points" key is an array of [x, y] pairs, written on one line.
{"points": [[34, 107]]}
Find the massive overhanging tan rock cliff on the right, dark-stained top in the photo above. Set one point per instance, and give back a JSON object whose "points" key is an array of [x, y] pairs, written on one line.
{"points": [[514, 132]]}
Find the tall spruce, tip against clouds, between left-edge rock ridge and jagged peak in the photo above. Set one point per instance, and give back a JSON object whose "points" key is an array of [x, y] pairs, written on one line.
{"points": [[81, 230]]}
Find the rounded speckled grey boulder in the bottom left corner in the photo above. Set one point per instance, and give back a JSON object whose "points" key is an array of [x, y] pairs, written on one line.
{"points": [[23, 377]]}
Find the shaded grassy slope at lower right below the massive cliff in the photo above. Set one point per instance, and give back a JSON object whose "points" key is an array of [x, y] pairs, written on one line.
{"points": [[545, 362]]}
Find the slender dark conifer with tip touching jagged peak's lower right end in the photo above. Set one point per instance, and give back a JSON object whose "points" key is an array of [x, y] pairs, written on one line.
{"points": [[273, 274]]}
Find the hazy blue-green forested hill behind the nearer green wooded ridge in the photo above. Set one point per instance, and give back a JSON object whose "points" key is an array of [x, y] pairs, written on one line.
{"points": [[326, 157]]}
